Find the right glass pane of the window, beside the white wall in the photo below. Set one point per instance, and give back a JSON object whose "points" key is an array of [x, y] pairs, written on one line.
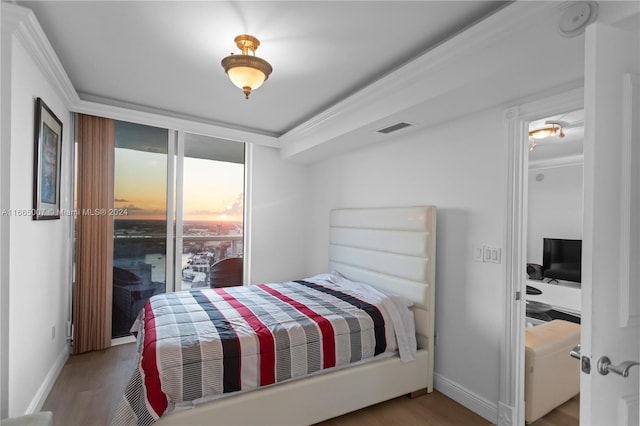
{"points": [[212, 212]]}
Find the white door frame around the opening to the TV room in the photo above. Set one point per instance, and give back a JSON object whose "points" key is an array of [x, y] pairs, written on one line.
{"points": [[516, 124]]}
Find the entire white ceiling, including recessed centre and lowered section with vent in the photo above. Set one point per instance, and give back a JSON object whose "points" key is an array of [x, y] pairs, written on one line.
{"points": [[342, 70]]}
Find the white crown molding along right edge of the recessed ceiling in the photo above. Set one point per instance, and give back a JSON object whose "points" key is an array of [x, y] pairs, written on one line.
{"points": [[416, 82]]}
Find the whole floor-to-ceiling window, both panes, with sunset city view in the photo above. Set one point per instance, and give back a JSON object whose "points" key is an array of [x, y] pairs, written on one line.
{"points": [[178, 216]]}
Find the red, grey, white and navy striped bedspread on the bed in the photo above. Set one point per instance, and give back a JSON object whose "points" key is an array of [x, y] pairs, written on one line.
{"points": [[209, 342]]}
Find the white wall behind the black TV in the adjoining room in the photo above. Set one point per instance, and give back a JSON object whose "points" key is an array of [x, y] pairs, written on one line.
{"points": [[555, 207]]}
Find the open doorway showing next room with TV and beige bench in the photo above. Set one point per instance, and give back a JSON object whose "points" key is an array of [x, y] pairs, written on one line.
{"points": [[554, 256]]}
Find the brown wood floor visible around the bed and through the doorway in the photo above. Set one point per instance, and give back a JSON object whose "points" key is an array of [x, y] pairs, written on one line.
{"points": [[90, 386]]}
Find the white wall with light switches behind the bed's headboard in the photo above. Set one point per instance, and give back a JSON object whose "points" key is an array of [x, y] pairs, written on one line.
{"points": [[460, 167]]}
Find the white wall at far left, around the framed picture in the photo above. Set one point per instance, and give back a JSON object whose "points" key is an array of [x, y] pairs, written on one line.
{"points": [[39, 254]]}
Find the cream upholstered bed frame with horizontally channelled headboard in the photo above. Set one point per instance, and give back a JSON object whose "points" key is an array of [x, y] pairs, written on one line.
{"points": [[392, 249]]}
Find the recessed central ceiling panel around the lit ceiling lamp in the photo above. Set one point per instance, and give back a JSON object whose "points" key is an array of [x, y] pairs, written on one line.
{"points": [[164, 56]]}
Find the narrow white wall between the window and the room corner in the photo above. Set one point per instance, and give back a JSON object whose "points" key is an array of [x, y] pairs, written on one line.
{"points": [[279, 203]]}
